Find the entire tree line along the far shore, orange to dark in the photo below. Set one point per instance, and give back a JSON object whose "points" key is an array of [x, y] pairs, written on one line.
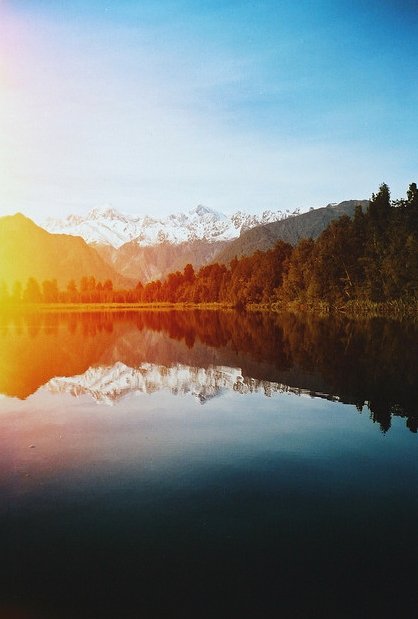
{"points": [[372, 257]]}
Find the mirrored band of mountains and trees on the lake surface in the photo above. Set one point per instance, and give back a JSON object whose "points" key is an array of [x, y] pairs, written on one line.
{"points": [[370, 363]]}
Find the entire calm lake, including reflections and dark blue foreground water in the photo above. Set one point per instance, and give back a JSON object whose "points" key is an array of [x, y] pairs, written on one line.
{"points": [[207, 464]]}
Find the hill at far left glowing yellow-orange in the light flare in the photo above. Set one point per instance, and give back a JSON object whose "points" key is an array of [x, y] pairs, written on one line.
{"points": [[27, 250]]}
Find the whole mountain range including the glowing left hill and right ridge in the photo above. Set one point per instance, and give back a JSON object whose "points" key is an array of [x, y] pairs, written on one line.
{"points": [[107, 244]]}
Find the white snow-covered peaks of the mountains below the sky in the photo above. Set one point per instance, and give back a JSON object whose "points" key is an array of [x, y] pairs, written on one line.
{"points": [[107, 226]]}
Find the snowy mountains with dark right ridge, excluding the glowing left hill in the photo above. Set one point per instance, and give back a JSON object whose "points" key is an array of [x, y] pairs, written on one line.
{"points": [[146, 248]]}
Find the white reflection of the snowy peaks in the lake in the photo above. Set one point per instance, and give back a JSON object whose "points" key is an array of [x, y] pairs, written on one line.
{"points": [[109, 384]]}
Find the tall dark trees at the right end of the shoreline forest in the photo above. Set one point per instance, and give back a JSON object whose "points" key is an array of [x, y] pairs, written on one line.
{"points": [[373, 256]]}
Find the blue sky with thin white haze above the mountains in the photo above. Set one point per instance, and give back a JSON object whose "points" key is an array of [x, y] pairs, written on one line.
{"points": [[156, 106]]}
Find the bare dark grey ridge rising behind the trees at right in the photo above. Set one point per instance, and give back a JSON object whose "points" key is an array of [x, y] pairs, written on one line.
{"points": [[290, 230]]}
